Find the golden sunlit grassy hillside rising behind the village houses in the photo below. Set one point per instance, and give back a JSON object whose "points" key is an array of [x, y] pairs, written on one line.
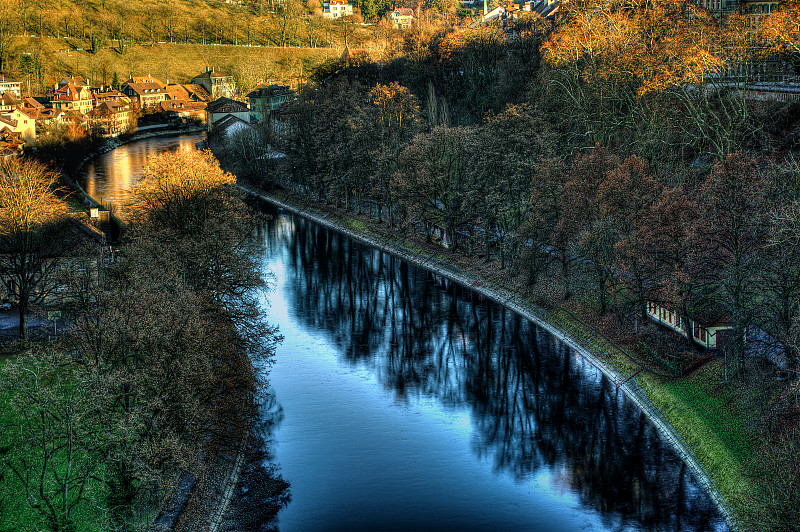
{"points": [[254, 40]]}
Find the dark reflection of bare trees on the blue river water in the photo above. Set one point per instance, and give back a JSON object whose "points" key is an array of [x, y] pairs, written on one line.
{"points": [[534, 403]]}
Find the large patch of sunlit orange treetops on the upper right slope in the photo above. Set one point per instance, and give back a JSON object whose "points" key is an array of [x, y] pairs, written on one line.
{"points": [[656, 45]]}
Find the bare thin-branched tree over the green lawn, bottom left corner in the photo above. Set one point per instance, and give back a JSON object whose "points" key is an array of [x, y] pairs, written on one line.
{"points": [[51, 449]]}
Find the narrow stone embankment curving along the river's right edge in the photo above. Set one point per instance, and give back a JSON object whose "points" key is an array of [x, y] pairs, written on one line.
{"points": [[588, 347]]}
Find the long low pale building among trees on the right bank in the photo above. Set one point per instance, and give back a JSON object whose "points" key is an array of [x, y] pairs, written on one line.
{"points": [[703, 328]]}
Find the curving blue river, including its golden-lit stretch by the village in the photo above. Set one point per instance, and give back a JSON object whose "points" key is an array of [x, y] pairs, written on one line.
{"points": [[410, 403]]}
